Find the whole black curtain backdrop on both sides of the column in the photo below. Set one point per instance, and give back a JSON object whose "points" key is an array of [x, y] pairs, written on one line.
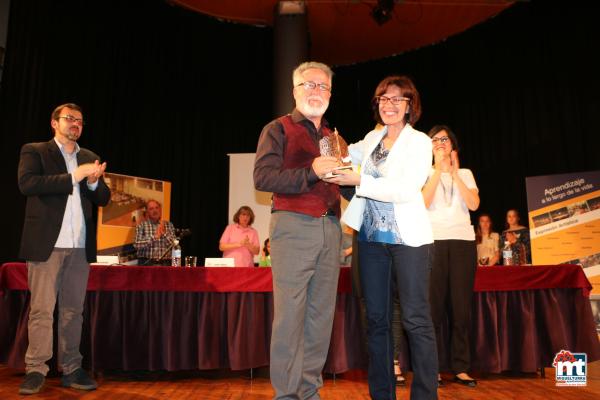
{"points": [[168, 93]]}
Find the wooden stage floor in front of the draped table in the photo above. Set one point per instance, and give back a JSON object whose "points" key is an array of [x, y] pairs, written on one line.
{"points": [[352, 385]]}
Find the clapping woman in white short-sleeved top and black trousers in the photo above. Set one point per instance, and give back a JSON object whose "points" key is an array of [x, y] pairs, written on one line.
{"points": [[449, 194]]}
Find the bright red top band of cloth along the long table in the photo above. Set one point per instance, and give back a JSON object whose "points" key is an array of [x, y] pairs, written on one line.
{"points": [[132, 278]]}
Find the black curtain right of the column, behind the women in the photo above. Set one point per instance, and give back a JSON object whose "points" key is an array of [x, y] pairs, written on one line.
{"points": [[521, 92]]}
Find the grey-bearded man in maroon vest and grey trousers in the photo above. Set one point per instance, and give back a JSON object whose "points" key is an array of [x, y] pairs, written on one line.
{"points": [[305, 235]]}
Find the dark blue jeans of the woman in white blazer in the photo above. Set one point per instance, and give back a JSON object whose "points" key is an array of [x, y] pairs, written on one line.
{"points": [[411, 266]]}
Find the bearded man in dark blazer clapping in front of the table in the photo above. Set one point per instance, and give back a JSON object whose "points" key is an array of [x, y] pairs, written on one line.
{"points": [[62, 182]]}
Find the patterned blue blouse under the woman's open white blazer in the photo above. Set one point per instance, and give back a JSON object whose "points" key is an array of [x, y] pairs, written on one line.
{"points": [[379, 221]]}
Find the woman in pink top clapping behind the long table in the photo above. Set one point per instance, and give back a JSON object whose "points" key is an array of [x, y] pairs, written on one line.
{"points": [[239, 240]]}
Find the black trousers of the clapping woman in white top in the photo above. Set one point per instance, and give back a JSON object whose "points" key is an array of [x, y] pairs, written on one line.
{"points": [[451, 294]]}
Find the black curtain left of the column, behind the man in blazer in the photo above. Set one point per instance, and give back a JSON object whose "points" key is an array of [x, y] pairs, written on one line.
{"points": [[166, 94]]}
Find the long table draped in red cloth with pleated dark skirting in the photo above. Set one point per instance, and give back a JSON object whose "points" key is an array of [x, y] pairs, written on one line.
{"points": [[167, 318]]}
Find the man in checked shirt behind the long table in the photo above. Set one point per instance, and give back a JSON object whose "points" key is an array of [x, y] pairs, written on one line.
{"points": [[153, 237]]}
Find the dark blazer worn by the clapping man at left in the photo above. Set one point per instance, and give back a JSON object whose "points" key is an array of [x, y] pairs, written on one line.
{"points": [[44, 179]]}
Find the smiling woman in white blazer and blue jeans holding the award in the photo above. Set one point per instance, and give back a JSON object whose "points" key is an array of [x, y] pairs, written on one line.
{"points": [[395, 236]]}
